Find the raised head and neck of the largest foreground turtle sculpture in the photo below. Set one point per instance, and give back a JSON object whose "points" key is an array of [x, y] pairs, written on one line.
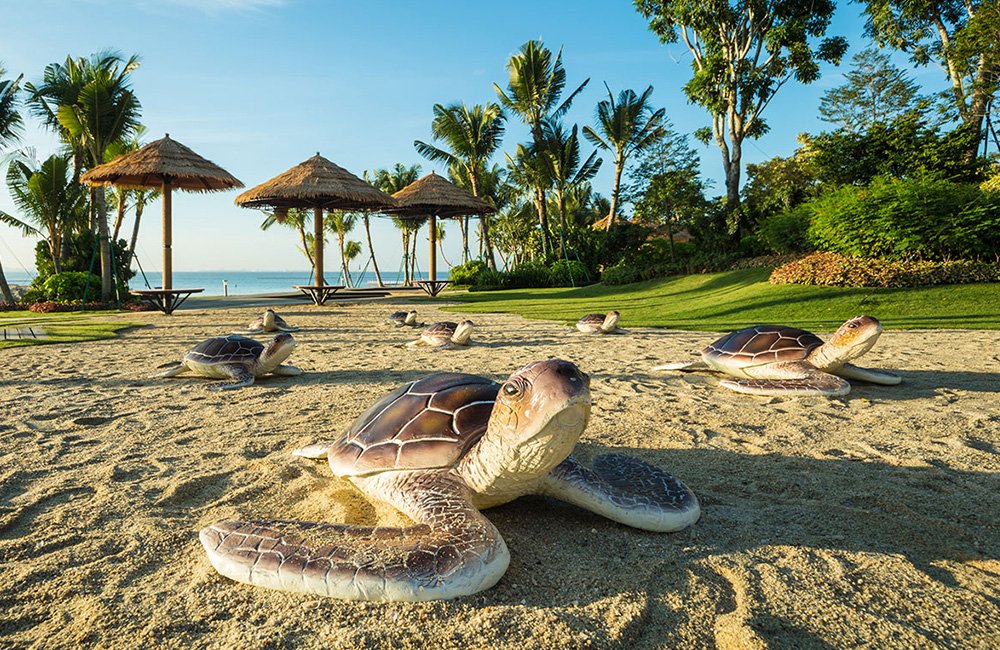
{"points": [[537, 419]]}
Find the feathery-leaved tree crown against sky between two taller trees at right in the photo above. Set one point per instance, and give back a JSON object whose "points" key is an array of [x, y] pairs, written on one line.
{"points": [[876, 91]]}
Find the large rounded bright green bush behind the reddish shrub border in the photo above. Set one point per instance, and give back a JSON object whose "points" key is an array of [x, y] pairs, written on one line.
{"points": [[922, 218]]}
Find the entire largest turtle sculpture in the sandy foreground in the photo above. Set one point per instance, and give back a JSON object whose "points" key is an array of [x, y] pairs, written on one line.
{"points": [[438, 450]]}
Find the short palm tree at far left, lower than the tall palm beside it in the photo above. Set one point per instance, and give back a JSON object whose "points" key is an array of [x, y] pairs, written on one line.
{"points": [[48, 198]]}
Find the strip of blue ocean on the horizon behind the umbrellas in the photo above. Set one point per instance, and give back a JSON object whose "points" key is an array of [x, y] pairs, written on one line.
{"points": [[216, 283]]}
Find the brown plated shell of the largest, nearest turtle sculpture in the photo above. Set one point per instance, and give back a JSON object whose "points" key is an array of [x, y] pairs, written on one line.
{"points": [[426, 424]]}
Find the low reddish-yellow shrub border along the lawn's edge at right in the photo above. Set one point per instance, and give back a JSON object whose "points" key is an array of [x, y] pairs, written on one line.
{"points": [[831, 269]]}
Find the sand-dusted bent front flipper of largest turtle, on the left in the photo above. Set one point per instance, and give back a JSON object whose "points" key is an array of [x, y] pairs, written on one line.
{"points": [[452, 551]]}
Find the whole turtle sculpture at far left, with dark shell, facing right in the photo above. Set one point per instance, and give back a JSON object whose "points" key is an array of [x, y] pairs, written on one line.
{"points": [[238, 359]]}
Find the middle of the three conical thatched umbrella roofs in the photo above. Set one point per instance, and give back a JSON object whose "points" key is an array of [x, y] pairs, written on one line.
{"points": [[316, 183]]}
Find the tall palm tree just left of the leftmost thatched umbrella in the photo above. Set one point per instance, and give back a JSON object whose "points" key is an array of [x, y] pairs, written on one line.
{"points": [[102, 111]]}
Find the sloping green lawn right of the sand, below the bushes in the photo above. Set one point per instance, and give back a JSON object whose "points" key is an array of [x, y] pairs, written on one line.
{"points": [[734, 299]]}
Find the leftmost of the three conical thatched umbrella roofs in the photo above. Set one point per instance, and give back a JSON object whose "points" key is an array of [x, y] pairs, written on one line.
{"points": [[164, 159]]}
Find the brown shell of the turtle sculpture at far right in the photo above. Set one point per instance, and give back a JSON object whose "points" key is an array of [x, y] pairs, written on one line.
{"points": [[755, 346]]}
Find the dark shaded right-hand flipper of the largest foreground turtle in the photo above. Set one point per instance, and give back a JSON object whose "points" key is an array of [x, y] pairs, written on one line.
{"points": [[626, 490]]}
